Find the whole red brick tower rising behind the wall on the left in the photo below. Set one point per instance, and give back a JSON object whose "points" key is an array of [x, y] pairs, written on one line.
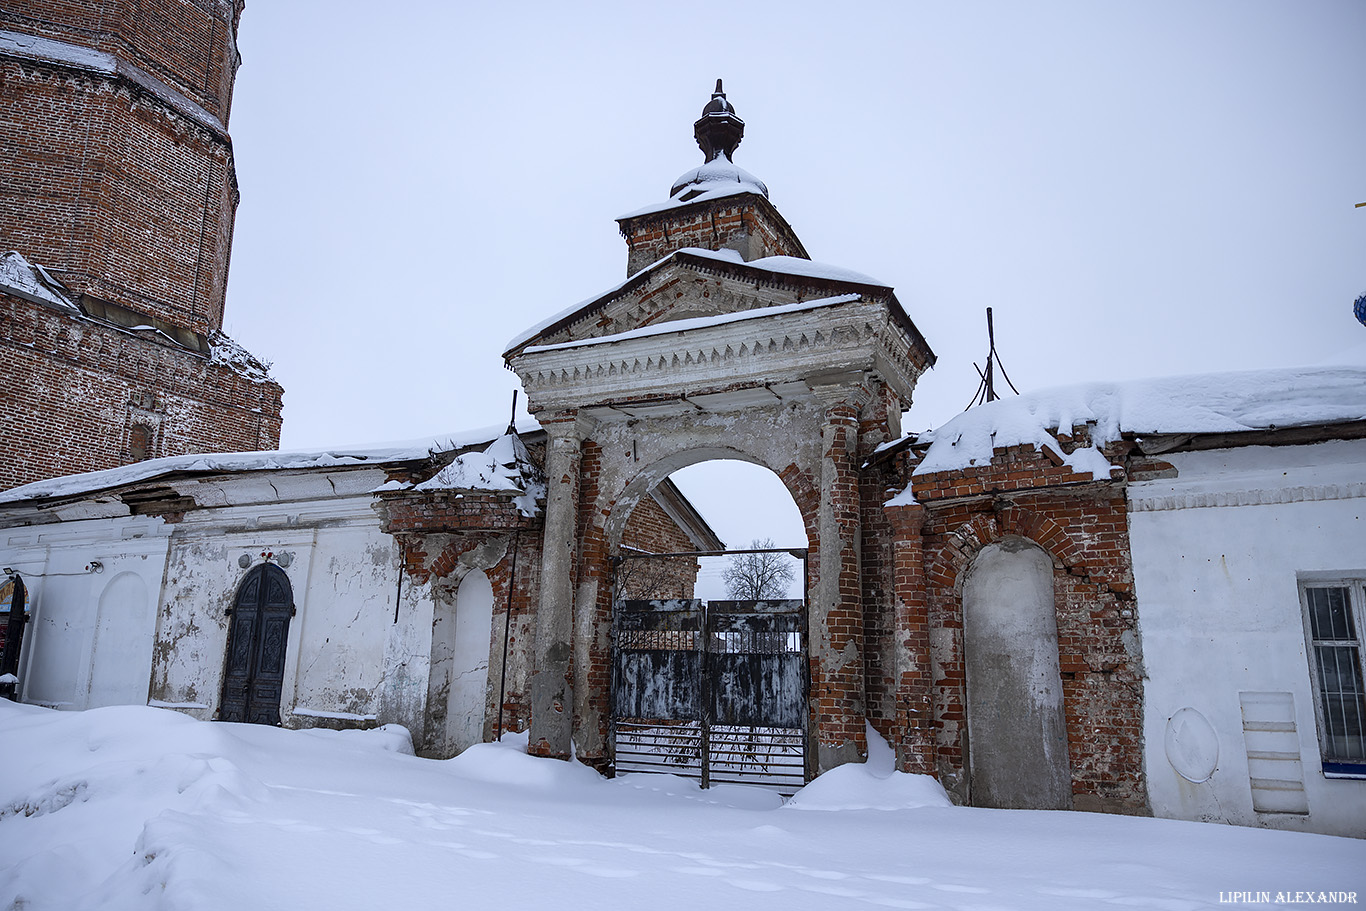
{"points": [[118, 195]]}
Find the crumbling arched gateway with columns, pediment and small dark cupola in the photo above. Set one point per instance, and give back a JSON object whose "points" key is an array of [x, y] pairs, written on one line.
{"points": [[730, 345]]}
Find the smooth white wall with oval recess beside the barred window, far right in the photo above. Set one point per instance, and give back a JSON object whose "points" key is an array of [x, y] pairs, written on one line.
{"points": [[1219, 557]]}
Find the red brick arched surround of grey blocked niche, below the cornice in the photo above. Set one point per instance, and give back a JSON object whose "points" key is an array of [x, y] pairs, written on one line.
{"points": [[1100, 655]]}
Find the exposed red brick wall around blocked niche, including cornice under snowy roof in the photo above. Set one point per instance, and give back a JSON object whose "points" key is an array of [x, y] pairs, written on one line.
{"points": [[1083, 525]]}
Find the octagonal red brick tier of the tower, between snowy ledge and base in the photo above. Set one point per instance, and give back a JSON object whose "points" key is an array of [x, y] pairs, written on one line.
{"points": [[115, 195]]}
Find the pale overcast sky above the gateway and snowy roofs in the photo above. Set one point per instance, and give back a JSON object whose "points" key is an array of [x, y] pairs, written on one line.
{"points": [[1136, 189]]}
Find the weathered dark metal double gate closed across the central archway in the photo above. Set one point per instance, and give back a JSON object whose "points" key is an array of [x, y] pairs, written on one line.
{"points": [[711, 690]]}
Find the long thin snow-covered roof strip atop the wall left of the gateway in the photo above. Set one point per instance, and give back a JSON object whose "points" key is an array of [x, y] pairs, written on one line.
{"points": [[270, 461]]}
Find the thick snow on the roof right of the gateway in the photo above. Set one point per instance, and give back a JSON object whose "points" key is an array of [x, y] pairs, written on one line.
{"points": [[1204, 404]]}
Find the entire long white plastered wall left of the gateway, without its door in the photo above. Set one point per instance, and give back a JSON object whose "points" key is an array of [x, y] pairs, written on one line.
{"points": [[135, 610]]}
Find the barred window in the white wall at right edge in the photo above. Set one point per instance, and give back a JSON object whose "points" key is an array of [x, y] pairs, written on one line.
{"points": [[1334, 626]]}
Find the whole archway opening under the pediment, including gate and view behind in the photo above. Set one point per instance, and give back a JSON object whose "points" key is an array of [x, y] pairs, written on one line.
{"points": [[710, 673]]}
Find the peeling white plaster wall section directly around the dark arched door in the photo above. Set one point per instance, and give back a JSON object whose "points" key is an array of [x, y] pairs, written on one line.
{"points": [[338, 655]]}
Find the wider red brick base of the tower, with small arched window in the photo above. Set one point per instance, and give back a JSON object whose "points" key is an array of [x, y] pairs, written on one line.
{"points": [[72, 391]]}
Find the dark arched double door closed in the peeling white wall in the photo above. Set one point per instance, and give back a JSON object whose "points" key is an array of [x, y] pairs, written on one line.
{"points": [[257, 636]]}
